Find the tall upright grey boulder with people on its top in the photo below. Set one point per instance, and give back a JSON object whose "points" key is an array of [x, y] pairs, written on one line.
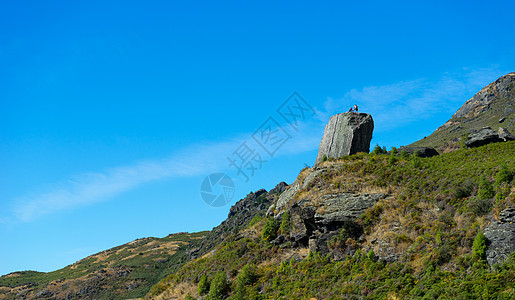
{"points": [[345, 134]]}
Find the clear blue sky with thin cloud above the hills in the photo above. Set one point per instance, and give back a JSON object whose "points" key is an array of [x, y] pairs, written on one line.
{"points": [[113, 113]]}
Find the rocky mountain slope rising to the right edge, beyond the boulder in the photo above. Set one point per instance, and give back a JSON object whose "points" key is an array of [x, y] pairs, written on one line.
{"points": [[493, 106]]}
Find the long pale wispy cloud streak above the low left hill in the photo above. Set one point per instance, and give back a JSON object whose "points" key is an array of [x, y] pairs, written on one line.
{"points": [[94, 187]]}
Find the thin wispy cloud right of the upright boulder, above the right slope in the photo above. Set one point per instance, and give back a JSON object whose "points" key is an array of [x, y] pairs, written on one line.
{"points": [[398, 104]]}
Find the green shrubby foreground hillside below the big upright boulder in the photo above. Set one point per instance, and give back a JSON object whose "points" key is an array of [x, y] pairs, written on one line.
{"points": [[431, 219]]}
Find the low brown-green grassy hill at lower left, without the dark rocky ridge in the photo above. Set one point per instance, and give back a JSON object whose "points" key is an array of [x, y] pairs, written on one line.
{"points": [[119, 273]]}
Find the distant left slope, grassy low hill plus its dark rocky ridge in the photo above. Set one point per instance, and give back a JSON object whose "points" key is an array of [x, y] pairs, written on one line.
{"points": [[129, 270]]}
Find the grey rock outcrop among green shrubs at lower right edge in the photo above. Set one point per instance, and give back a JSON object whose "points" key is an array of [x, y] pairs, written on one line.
{"points": [[501, 237]]}
